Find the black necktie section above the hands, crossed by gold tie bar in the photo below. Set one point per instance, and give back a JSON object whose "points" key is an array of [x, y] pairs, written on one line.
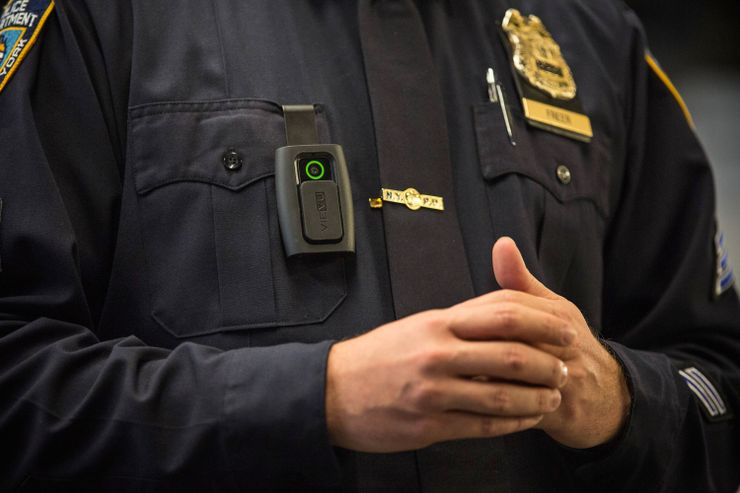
{"points": [[426, 255]]}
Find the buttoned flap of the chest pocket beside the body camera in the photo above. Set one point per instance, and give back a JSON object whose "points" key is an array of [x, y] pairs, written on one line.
{"points": [[173, 142]]}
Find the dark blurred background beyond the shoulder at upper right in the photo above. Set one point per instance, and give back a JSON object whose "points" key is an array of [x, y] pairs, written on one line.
{"points": [[698, 44]]}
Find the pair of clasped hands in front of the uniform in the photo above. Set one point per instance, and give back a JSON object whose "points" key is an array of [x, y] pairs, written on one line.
{"points": [[493, 365]]}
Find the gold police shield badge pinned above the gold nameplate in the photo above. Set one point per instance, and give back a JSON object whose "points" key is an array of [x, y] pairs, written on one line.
{"points": [[537, 56]]}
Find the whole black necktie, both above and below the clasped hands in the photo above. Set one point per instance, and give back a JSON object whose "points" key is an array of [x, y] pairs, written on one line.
{"points": [[426, 255]]}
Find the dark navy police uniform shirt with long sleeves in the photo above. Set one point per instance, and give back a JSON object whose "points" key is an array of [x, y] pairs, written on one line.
{"points": [[154, 337]]}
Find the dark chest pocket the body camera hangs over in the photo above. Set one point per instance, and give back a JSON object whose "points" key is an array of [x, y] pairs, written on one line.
{"points": [[204, 177]]}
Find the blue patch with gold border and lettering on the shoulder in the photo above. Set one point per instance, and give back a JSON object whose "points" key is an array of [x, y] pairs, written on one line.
{"points": [[20, 25]]}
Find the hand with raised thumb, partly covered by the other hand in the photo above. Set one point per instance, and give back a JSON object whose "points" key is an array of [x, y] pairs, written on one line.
{"points": [[596, 399]]}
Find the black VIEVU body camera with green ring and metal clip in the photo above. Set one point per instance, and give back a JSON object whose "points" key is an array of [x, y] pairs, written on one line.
{"points": [[314, 196]]}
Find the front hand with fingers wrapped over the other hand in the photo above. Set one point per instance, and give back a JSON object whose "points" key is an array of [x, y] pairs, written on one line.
{"points": [[469, 371]]}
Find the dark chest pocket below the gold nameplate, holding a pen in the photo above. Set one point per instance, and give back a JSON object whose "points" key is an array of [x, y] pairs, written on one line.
{"points": [[549, 189]]}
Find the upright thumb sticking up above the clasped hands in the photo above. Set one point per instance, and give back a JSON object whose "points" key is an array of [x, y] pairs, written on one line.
{"points": [[512, 273]]}
